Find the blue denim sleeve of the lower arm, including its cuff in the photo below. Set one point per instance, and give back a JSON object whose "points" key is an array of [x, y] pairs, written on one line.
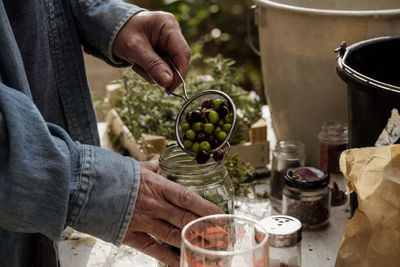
{"points": [[47, 181]]}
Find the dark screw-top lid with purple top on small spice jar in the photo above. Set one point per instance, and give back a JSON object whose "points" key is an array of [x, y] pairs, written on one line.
{"points": [[307, 178]]}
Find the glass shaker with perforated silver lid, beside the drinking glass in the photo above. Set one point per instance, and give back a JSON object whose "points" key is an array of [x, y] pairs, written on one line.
{"points": [[284, 237]]}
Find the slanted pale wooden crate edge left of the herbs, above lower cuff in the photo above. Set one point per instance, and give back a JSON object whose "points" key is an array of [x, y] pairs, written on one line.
{"points": [[127, 140]]}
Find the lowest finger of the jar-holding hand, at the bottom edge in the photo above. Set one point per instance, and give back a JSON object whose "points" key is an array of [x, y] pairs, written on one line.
{"points": [[148, 245]]}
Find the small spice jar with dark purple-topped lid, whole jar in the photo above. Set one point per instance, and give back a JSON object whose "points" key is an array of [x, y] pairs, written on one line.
{"points": [[306, 196]]}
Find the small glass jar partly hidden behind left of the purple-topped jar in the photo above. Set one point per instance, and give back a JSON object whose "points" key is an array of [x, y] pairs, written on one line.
{"points": [[287, 154]]}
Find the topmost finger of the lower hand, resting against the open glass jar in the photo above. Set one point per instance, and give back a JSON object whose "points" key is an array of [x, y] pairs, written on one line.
{"points": [[186, 199]]}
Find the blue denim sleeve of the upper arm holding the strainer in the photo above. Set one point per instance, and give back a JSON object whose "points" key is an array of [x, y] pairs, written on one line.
{"points": [[99, 23]]}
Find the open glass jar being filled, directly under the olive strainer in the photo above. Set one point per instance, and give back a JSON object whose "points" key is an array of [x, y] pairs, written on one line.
{"points": [[210, 180]]}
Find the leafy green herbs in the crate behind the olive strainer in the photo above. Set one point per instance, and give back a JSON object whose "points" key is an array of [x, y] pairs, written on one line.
{"points": [[146, 108]]}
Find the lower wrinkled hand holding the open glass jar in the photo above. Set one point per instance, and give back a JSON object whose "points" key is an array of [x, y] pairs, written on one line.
{"points": [[162, 209]]}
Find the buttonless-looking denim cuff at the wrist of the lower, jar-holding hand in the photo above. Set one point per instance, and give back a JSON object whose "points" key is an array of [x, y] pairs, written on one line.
{"points": [[104, 195]]}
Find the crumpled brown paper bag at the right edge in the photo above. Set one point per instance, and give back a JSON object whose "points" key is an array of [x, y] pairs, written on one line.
{"points": [[372, 237]]}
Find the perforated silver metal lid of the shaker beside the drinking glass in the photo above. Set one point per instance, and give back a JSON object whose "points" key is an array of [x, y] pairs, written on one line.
{"points": [[284, 231]]}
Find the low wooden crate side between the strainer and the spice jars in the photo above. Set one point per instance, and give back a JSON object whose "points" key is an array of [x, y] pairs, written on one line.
{"points": [[257, 154]]}
